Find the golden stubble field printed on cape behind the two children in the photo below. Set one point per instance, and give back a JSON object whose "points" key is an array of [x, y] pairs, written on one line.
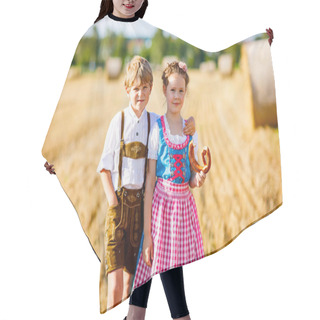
{"points": [[243, 185]]}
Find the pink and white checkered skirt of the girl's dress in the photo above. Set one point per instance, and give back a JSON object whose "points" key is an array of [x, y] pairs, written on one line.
{"points": [[175, 230]]}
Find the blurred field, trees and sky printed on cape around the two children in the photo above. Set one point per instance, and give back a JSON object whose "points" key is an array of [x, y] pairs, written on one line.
{"points": [[231, 96]]}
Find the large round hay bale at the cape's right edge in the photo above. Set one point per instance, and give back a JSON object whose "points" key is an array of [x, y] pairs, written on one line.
{"points": [[257, 65]]}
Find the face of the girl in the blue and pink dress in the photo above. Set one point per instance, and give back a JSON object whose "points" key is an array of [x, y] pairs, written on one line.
{"points": [[175, 93]]}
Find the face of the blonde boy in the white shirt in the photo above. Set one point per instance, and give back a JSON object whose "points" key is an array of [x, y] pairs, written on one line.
{"points": [[139, 96]]}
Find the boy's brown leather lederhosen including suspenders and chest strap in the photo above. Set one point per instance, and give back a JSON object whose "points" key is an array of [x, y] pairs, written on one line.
{"points": [[124, 222]]}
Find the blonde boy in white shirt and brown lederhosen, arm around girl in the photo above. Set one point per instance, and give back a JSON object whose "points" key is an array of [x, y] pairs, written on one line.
{"points": [[122, 169]]}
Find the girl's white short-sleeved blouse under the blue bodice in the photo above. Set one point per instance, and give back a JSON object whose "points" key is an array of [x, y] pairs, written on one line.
{"points": [[176, 139]]}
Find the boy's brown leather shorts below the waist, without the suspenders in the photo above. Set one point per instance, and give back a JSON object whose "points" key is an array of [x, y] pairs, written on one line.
{"points": [[124, 224]]}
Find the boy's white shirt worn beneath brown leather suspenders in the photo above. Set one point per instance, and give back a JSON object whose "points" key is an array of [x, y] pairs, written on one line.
{"points": [[135, 129]]}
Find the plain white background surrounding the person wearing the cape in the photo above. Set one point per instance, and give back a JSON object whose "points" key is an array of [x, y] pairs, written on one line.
{"points": [[48, 269]]}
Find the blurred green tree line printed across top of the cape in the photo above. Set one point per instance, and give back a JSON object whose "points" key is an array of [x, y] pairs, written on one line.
{"points": [[92, 51]]}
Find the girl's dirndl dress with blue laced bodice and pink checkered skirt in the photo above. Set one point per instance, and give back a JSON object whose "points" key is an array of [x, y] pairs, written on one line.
{"points": [[175, 228]]}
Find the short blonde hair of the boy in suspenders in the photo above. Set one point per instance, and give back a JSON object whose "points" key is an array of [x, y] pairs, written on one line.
{"points": [[138, 72]]}
